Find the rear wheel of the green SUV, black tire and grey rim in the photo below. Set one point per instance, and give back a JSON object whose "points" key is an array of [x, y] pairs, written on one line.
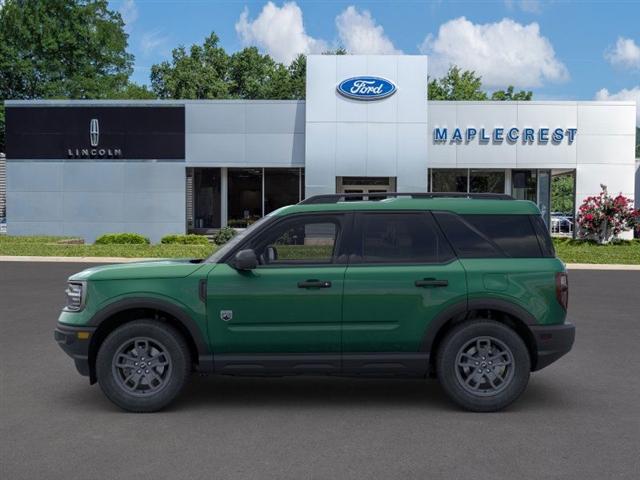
{"points": [[476, 346]]}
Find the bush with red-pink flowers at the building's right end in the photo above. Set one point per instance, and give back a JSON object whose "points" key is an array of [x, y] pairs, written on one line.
{"points": [[604, 217]]}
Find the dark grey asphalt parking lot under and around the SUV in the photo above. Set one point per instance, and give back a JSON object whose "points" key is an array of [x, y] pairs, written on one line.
{"points": [[579, 418]]}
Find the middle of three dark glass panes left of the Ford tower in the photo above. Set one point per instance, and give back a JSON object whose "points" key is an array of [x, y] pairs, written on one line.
{"points": [[244, 196]]}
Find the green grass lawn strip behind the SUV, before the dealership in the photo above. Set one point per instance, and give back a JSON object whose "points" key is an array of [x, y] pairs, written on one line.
{"points": [[570, 251]]}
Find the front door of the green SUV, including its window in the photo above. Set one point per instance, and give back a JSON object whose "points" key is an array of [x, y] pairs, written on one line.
{"points": [[290, 304]]}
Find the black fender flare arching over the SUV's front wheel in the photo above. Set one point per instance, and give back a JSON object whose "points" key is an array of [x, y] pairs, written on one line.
{"points": [[205, 358]]}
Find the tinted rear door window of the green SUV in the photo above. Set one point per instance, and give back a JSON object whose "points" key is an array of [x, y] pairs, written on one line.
{"points": [[401, 238]]}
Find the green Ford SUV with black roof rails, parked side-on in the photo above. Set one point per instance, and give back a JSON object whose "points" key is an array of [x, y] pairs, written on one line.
{"points": [[464, 288]]}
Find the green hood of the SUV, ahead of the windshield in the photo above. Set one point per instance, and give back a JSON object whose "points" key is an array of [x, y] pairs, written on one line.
{"points": [[140, 270]]}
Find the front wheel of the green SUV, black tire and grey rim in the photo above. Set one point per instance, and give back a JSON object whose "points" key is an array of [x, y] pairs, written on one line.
{"points": [[137, 383]]}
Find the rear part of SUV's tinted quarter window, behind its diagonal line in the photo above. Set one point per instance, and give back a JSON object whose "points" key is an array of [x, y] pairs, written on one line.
{"points": [[513, 234]]}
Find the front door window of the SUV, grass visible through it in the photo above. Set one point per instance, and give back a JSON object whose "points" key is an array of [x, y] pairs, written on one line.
{"points": [[300, 240]]}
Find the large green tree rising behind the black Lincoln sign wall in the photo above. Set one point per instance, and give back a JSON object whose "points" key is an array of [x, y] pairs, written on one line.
{"points": [[61, 49]]}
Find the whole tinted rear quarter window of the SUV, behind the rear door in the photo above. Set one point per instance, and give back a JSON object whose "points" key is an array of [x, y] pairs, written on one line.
{"points": [[490, 236]]}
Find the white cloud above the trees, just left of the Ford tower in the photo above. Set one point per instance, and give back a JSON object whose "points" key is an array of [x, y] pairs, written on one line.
{"points": [[278, 31]]}
